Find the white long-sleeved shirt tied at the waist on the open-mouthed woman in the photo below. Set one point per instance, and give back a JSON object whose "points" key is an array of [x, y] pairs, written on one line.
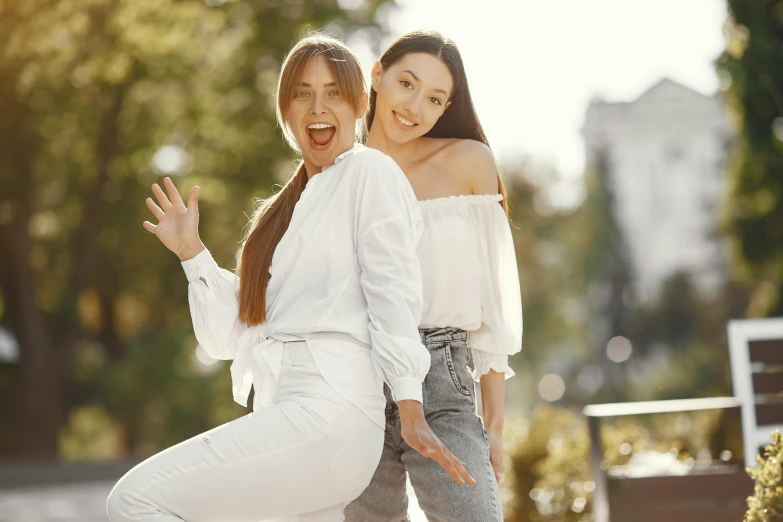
{"points": [[347, 264]]}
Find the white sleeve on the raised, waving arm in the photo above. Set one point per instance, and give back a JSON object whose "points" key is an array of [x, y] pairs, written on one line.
{"points": [[214, 306]]}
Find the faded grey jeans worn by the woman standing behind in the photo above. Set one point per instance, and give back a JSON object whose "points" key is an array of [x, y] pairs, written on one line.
{"points": [[449, 406]]}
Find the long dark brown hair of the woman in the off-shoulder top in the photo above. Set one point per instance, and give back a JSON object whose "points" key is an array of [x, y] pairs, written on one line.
{"points": [[460, 119]]}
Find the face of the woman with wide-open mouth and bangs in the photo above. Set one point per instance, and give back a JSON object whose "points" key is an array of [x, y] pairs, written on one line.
{"points": [[321, 118]]}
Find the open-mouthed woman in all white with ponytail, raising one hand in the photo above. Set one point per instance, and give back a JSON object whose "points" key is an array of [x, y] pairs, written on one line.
{"points": [[324, 311]]}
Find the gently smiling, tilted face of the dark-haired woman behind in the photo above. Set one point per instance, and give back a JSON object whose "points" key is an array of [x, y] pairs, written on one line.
{"points": [[412, 94]]}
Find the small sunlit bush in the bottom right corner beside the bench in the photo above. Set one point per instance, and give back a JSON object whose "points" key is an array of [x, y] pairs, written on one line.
{"points": [[766, 505]]}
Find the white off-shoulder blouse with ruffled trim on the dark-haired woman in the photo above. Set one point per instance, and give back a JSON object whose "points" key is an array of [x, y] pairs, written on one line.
{"points": [[470, 277]]}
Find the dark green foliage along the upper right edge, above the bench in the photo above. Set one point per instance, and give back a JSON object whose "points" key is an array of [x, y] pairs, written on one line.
{"points": [[752, 65]]}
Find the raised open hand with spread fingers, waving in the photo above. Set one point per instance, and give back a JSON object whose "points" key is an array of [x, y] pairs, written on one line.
{"points": [[177, 226]]}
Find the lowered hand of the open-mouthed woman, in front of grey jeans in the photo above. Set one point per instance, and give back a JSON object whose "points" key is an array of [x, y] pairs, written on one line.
{"points": [[419, 436]]}
